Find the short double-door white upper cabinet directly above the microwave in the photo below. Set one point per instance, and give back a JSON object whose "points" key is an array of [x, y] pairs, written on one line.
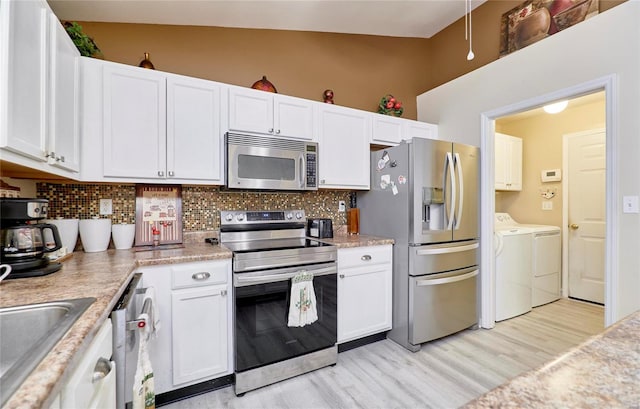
{"points": [[271, 114]]}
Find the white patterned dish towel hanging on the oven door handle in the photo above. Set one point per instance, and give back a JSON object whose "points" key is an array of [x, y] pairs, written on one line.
{"points": [[302, 308]]}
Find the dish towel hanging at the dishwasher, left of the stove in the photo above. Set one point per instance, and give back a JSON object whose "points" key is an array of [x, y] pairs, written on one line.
{"points": [[144, 396]]}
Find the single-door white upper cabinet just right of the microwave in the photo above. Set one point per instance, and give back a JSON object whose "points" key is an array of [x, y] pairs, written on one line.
{"points": [[343, 147]]}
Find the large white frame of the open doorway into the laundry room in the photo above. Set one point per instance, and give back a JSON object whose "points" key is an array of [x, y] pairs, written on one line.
{"points": [[607, 83]]}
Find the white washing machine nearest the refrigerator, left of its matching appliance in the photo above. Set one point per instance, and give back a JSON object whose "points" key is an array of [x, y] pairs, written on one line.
{"points": [[513, 251]]}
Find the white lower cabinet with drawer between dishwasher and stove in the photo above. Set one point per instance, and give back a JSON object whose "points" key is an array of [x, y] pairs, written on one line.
{"points": [[193, 343]]}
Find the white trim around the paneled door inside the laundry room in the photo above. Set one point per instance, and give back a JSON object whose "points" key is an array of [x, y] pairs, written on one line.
{"points": [[566, 182]]}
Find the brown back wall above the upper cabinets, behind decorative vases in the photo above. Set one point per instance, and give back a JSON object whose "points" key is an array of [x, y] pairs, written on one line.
{"points": [[359, 69]]}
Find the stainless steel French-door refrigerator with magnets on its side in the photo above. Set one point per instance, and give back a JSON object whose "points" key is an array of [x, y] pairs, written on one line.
{"points": [[424, 194]]}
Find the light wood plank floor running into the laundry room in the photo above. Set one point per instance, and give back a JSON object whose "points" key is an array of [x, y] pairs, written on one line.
{"points": [[446, 373]]}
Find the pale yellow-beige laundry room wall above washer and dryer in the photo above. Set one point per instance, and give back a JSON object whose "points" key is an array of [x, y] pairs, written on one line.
{"points": [[542, 149]]}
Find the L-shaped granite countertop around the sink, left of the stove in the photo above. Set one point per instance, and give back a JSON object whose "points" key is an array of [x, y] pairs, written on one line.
{"points": [[102, 275]]}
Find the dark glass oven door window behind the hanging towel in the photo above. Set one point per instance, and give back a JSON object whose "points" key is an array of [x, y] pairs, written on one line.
{"points": [[261, 315]]}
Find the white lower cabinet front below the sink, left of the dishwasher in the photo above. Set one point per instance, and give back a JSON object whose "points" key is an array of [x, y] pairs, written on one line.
{"points": [[93, 383]]}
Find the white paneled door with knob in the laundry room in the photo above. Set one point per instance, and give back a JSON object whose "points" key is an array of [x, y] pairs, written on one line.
{"points": [[586, 214]]}
